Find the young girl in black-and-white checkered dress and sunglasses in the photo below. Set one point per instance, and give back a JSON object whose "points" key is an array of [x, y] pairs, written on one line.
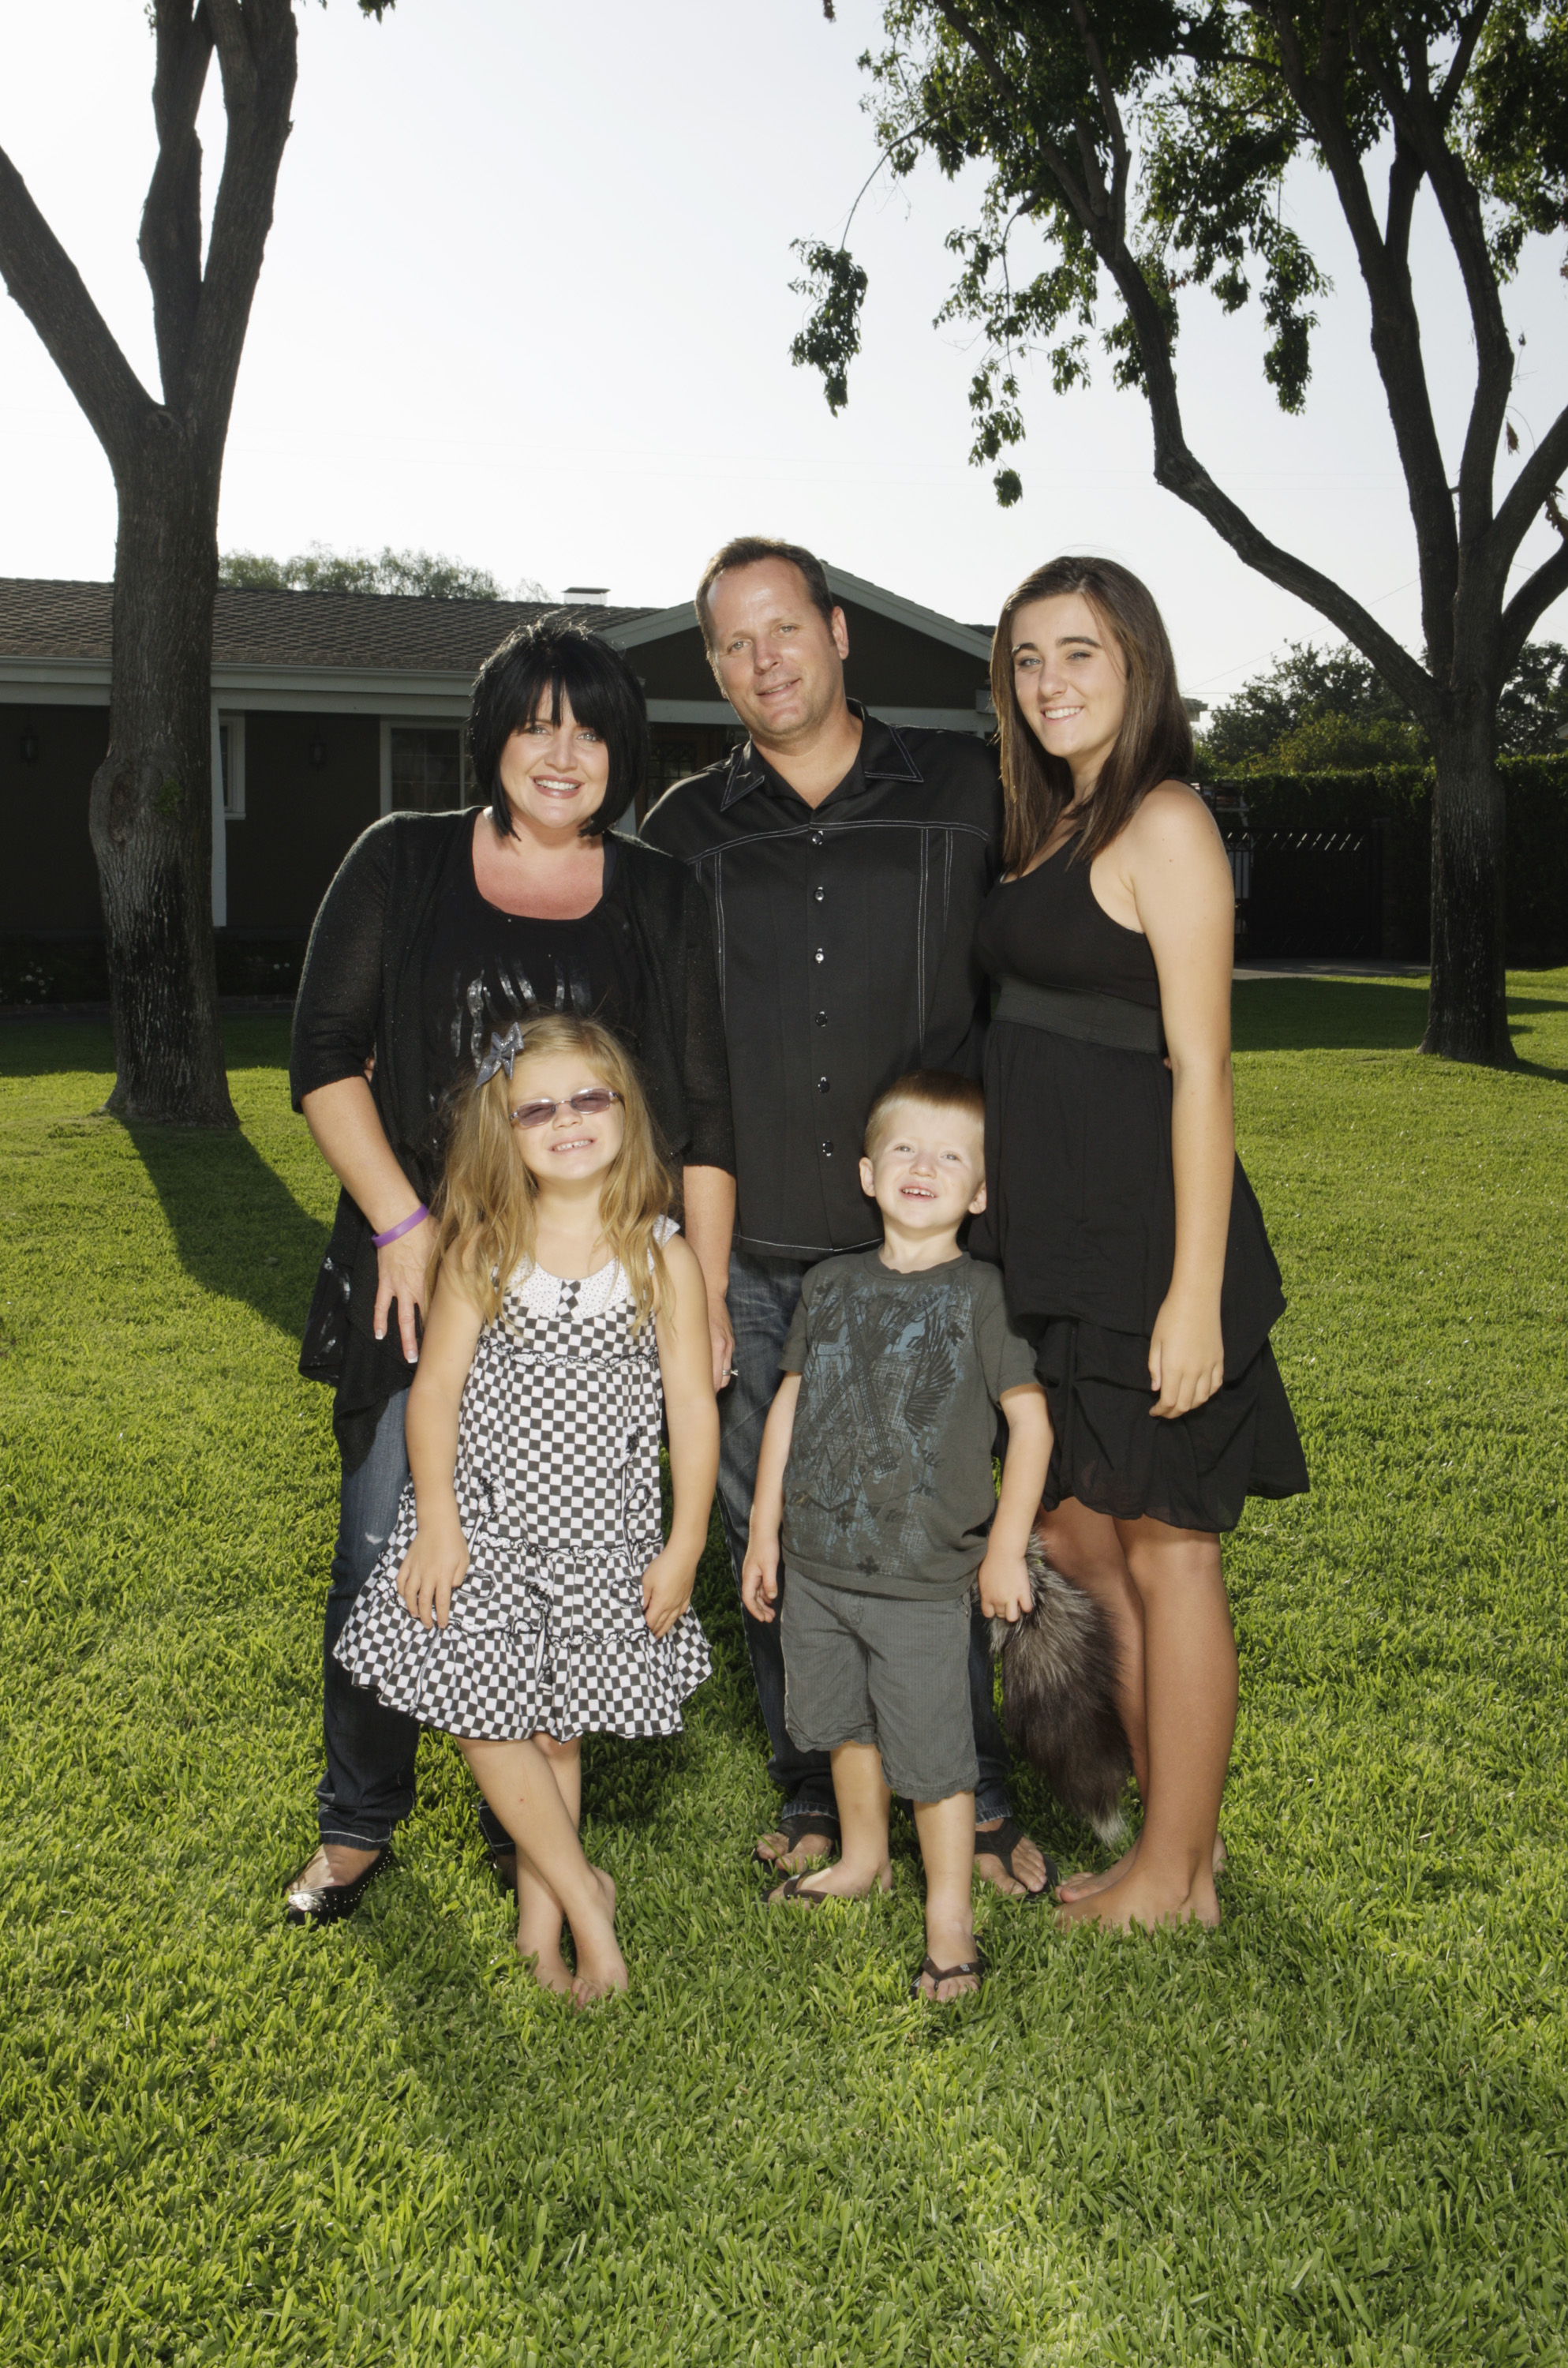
{"points": [[527, 1595]]}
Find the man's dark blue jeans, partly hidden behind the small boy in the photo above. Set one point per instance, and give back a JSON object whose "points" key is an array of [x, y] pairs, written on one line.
{"points": [[764, 1296]]}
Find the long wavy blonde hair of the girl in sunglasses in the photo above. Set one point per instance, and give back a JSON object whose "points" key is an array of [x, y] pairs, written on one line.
{"points": [[487, 1202]]}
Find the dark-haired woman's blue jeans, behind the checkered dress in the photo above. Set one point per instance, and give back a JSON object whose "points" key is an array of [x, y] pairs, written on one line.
{"points": [[368, 1787]]}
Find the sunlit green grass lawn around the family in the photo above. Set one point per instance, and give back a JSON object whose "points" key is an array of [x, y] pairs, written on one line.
{"points": [[1330, 2132]]}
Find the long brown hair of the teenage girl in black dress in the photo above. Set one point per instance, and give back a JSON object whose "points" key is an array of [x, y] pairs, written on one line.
{"points": [[1155, 740]]}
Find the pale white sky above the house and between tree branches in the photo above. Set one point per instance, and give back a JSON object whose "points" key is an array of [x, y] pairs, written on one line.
{"points": [[527, 302]]}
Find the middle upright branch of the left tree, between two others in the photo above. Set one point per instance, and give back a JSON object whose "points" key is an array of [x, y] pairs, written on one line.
{"points": [[172, 217]]}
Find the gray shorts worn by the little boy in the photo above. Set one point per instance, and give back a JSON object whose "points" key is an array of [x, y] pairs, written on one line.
{"points": [[882, 1671]]}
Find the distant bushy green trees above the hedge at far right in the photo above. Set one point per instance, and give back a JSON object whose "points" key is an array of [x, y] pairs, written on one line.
{"points": [[1330, 712]]}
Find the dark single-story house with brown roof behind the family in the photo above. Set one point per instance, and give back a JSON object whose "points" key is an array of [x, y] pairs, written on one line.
{"points": [[338, 707]]}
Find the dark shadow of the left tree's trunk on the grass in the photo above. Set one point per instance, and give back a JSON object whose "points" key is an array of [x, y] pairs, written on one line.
{"points": [[238, 1230]]}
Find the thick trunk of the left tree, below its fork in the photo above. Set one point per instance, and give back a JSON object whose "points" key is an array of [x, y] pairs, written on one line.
{"points": [[153, 806]]}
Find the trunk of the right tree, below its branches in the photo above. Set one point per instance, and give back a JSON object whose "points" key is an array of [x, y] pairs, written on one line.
{"points": [[1467, 1017]]}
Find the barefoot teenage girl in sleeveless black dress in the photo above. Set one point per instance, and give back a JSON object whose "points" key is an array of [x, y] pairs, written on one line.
{"points": [[1129, 1235]]}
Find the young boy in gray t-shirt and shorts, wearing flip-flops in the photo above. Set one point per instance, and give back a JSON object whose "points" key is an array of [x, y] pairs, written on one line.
{"points": [[875, 1481]]}
